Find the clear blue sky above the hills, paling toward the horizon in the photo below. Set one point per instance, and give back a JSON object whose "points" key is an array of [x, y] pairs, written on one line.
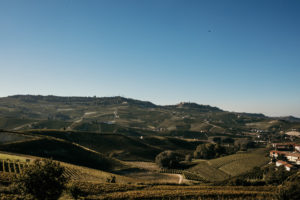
{"points": [[241, 55]]}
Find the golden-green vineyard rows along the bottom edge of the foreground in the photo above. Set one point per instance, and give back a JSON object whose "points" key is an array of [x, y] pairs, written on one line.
{"points": [[190, 192]]}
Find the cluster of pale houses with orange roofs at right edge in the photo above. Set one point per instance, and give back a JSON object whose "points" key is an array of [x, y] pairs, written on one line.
{"points": [[286, 154]]}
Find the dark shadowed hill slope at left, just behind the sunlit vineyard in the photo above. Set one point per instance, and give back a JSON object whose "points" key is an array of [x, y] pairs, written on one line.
{"points": [[62, 150]]}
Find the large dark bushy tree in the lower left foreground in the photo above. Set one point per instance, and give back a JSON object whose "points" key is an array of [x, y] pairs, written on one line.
{"points": [[43, 180]]}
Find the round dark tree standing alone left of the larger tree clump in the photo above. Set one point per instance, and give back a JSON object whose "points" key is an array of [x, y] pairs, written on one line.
{"points": [[168, 159]]}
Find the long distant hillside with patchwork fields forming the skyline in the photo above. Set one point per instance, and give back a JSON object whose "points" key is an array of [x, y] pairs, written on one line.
{"points": [[116, 114]]}
